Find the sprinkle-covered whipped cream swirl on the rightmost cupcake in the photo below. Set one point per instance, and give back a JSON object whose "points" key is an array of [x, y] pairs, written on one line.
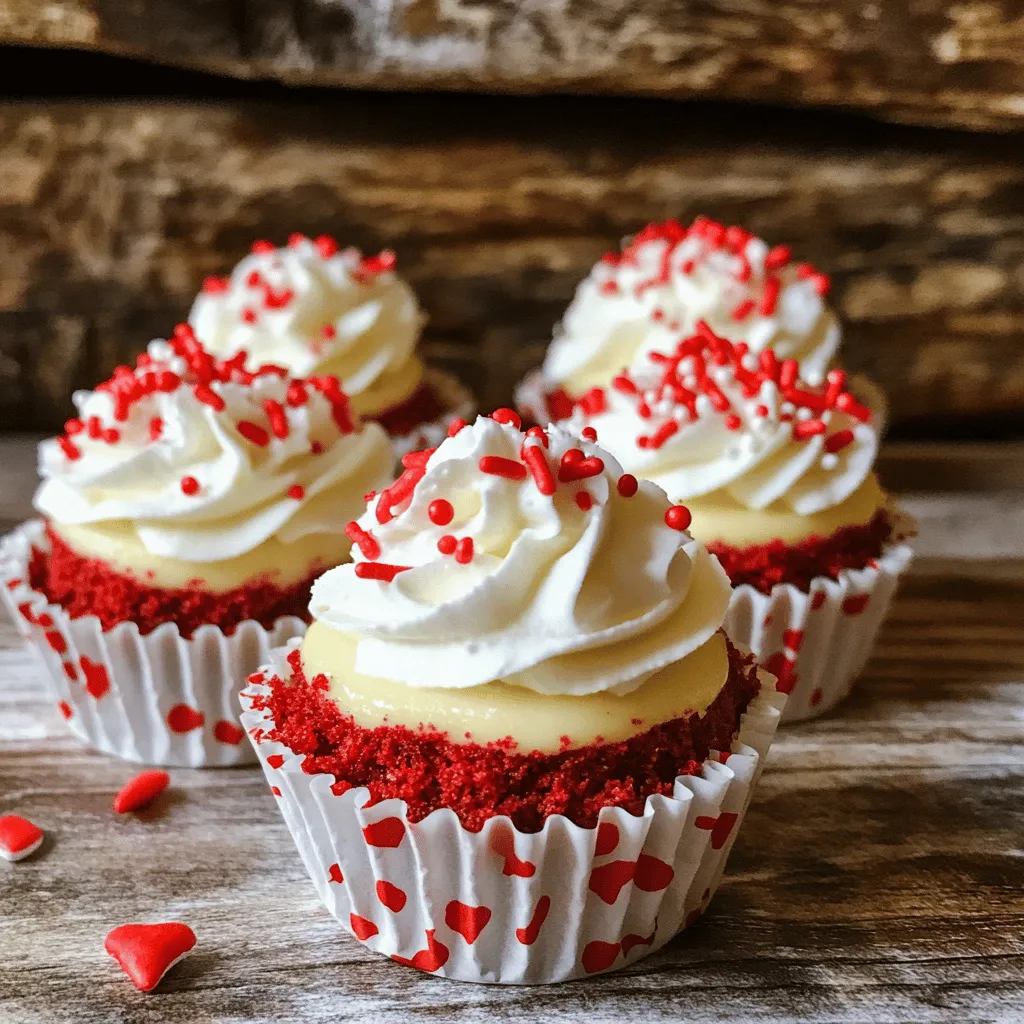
{"points": [[714, 418]]}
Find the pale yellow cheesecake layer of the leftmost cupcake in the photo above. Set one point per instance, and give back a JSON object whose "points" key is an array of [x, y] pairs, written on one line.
{"points": [[283, 565]]}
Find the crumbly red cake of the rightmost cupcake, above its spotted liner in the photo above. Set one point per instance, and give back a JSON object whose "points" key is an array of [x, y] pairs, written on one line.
{"points": [[765, 566]]}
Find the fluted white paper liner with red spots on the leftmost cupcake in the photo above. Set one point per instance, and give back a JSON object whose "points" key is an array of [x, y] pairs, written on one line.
{"points": [[157, 699]]}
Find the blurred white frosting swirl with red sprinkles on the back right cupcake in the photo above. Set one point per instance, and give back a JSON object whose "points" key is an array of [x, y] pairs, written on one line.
{"points": [[670, 278]]}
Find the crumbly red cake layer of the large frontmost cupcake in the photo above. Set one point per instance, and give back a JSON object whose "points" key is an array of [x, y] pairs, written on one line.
{"points": [[429, 772]]}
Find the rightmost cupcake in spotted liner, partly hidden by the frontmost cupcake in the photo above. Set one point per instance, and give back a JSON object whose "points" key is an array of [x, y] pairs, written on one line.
{"points": [[779, 477]]}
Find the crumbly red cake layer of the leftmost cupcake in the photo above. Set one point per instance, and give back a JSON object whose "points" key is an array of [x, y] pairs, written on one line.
{"points": [[86, 586]]}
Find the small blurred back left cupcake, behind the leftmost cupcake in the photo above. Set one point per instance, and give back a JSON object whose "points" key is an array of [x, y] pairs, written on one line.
{"points": [[316, 309]]}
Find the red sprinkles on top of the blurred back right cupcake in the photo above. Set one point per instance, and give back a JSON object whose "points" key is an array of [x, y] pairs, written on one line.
{"points": [[713, 238]]}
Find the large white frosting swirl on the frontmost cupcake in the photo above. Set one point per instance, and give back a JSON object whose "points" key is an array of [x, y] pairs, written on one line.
{"points": [[562, 595]]}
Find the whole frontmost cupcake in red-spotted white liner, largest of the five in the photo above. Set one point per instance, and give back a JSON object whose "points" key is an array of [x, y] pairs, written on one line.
{"points": [[516, 745]]}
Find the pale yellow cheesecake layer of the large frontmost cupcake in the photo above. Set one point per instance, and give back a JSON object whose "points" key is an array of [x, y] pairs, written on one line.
{"points": [[496, 711]]}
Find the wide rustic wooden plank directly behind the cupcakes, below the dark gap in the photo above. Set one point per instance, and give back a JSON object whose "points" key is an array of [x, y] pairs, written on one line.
{"points": [[114, 212]]}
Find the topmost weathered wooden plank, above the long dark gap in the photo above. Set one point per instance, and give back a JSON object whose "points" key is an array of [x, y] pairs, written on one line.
{"points": [[927, 63]]}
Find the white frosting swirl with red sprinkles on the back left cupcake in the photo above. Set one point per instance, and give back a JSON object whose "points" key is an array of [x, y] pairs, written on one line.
{"points": [[313, 309]]}
